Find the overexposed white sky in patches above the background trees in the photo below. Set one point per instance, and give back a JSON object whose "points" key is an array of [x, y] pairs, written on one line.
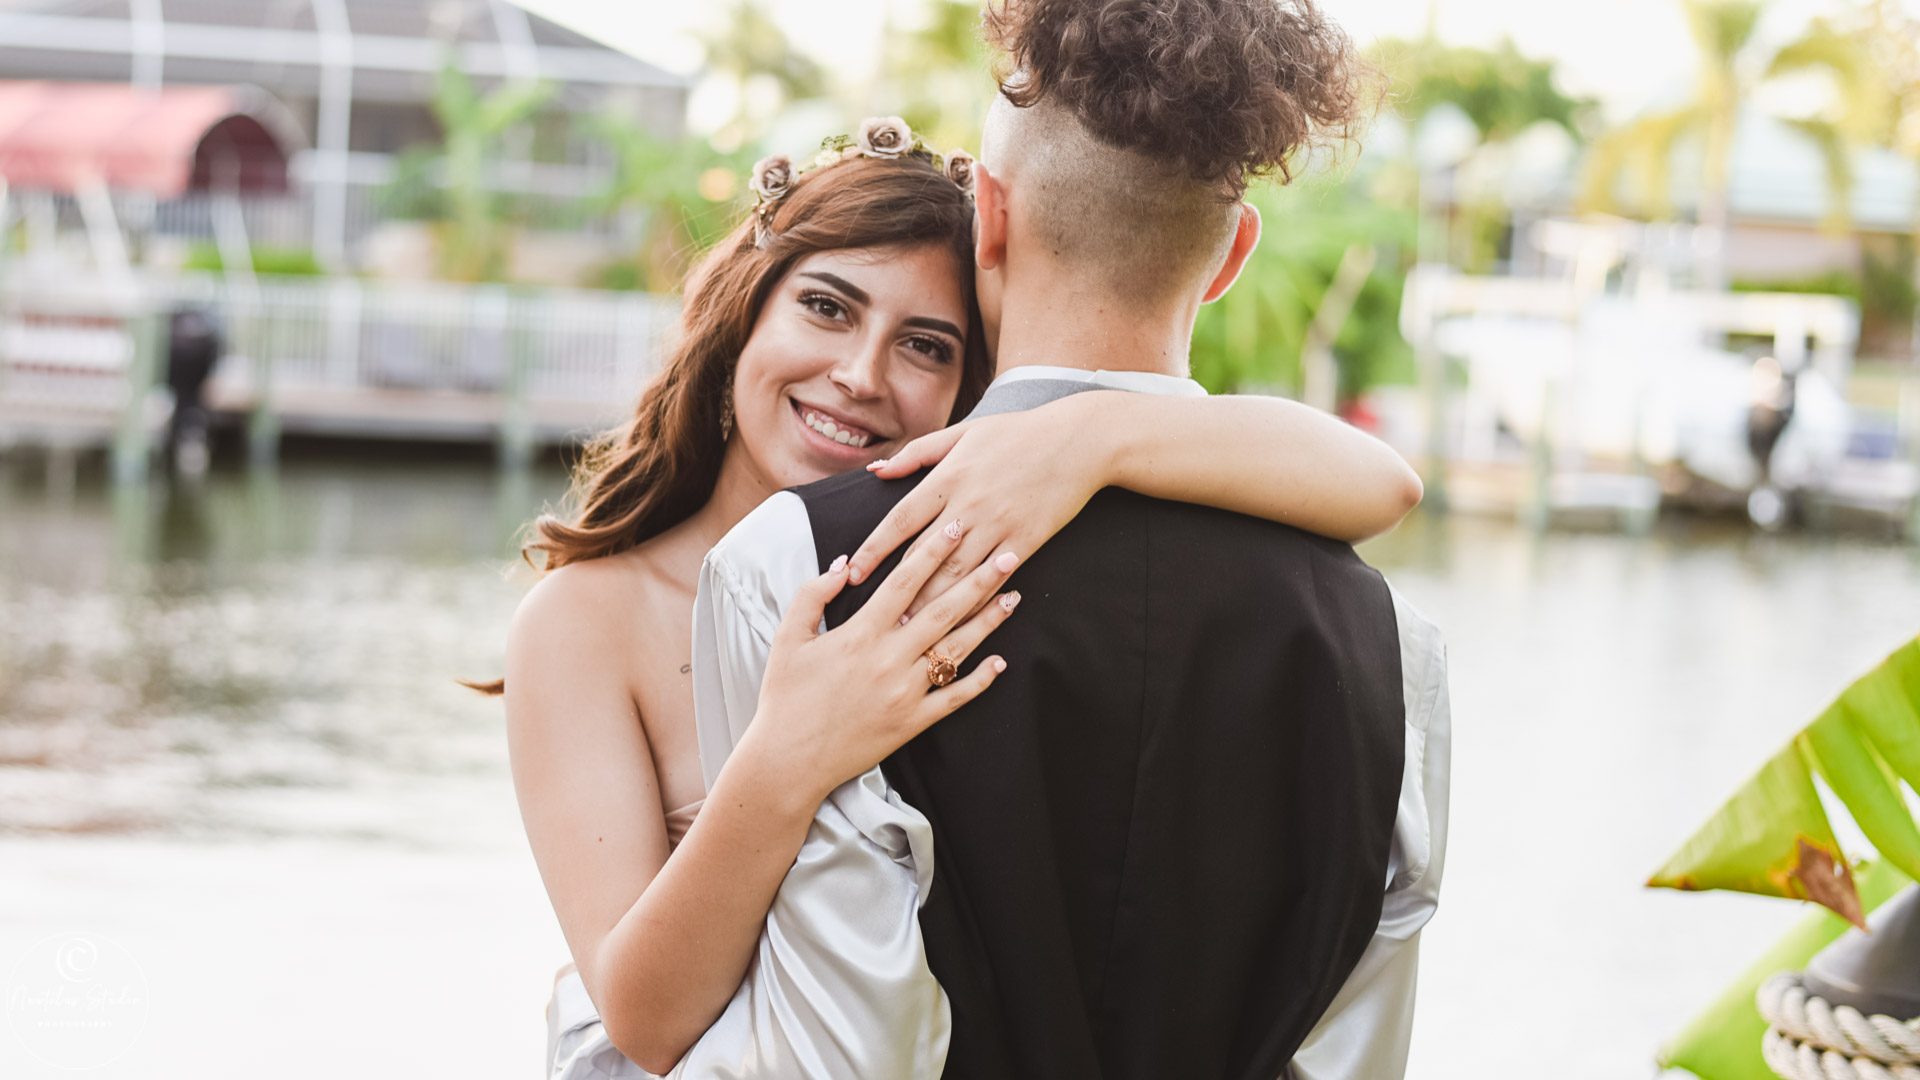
{"points": [[1627, 53]]}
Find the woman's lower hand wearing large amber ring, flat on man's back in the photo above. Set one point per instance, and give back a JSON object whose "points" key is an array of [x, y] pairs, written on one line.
{"points": [[832, 706]]}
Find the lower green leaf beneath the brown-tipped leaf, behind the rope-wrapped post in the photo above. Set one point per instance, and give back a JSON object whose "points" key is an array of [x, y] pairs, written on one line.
{"points": [[1725, 1041]]}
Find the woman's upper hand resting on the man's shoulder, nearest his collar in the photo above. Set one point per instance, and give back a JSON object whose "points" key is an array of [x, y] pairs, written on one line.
{"points": [[1015, 479]]}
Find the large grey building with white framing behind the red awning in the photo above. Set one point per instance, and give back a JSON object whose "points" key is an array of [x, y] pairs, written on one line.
{"points": [[358, 82]]}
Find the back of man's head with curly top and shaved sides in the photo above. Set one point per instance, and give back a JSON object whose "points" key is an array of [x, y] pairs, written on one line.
{"points": [[1132, 128]]}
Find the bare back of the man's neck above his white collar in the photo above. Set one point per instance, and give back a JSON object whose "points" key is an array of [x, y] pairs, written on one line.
{"points": [[1061, 326]]}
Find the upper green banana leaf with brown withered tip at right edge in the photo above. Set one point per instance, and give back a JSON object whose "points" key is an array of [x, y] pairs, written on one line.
{"points": [[1775, 839]]}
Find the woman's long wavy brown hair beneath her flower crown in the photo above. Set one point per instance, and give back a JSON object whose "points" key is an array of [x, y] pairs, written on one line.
{"points": [[660, 468]]}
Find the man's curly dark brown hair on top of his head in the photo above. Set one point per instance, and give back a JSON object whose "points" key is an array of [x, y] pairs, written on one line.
{"points": [[1228, 89]]}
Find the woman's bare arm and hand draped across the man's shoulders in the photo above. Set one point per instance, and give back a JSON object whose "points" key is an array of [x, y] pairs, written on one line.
{"points": [[1020, 478]]}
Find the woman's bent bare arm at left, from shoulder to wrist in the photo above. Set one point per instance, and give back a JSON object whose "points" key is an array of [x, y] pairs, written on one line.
{"points": [[592, 808]]}
